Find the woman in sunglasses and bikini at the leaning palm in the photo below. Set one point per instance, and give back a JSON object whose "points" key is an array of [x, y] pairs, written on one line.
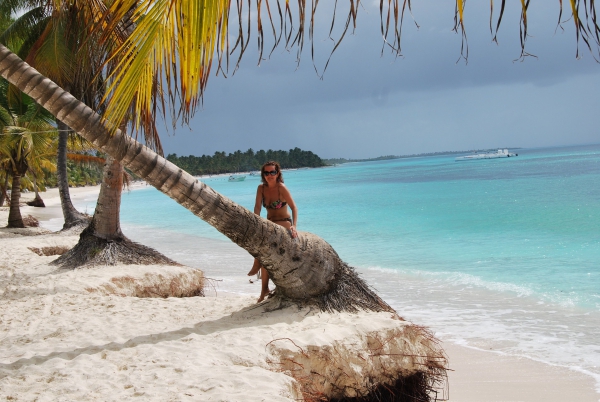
{"points": [[275, 197]]}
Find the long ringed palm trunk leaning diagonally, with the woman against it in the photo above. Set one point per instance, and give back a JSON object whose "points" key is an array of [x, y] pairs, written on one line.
{"points": [[306, 268]]}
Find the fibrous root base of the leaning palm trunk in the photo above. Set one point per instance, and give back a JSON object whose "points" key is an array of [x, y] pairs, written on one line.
{"points": [[351, 294]]}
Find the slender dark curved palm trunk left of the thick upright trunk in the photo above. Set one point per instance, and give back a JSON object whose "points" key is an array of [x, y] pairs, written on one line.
{"points": [[71, 215]]}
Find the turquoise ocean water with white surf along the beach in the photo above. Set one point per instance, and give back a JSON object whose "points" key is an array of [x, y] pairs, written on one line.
{"points": [[501, 255]]}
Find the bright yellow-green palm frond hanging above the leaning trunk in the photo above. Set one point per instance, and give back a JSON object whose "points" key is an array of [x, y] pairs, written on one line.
{"points": [[171, 37]]}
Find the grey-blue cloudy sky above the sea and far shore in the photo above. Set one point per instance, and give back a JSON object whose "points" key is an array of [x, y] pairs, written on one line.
{"points": [[368, 104]]}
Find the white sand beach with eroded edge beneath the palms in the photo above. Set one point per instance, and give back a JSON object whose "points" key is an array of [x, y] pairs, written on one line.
{"points": [[87, 335]]}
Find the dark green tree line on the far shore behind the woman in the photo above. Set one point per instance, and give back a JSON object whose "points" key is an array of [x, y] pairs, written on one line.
{"points": [[244, 161]]}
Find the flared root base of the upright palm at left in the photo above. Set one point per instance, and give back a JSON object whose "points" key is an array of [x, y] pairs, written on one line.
{"points": [[92, 250]]}
